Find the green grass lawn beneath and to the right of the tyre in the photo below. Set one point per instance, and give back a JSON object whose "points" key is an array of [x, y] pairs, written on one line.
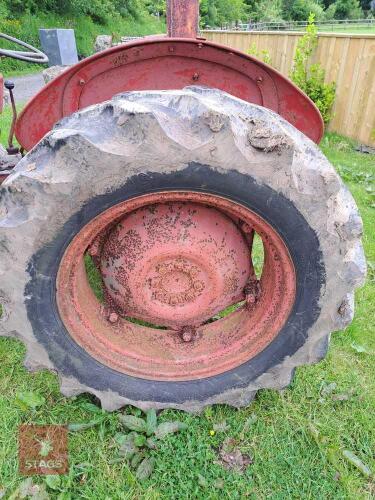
{"points": [[295, 437]]}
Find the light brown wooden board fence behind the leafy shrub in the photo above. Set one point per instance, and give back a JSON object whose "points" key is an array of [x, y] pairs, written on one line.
{"points": [[349, 60]]}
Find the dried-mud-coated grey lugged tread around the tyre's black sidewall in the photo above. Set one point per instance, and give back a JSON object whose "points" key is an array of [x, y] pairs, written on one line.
{"points": [[96, 151]]}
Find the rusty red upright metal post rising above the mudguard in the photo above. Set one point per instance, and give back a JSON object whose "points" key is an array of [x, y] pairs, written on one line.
{"points": [[182, 18]]}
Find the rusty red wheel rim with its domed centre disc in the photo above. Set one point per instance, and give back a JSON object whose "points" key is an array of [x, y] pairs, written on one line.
{"points": [[196, 263]]}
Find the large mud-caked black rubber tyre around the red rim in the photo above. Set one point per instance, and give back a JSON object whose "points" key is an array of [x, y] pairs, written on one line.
{"points": [[194, 139]]}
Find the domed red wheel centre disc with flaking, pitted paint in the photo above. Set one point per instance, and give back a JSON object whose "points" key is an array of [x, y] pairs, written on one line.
{"points": [[175, 264]]}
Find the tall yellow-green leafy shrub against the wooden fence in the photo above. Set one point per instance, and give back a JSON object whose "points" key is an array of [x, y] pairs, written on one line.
{"points": [[310, 77]]}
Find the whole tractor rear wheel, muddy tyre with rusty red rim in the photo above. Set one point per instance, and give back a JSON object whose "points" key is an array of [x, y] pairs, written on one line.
{"points": [[176, 249]]}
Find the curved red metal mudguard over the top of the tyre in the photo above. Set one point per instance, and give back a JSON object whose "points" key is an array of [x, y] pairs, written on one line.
{"points": [[162, 64]]}
